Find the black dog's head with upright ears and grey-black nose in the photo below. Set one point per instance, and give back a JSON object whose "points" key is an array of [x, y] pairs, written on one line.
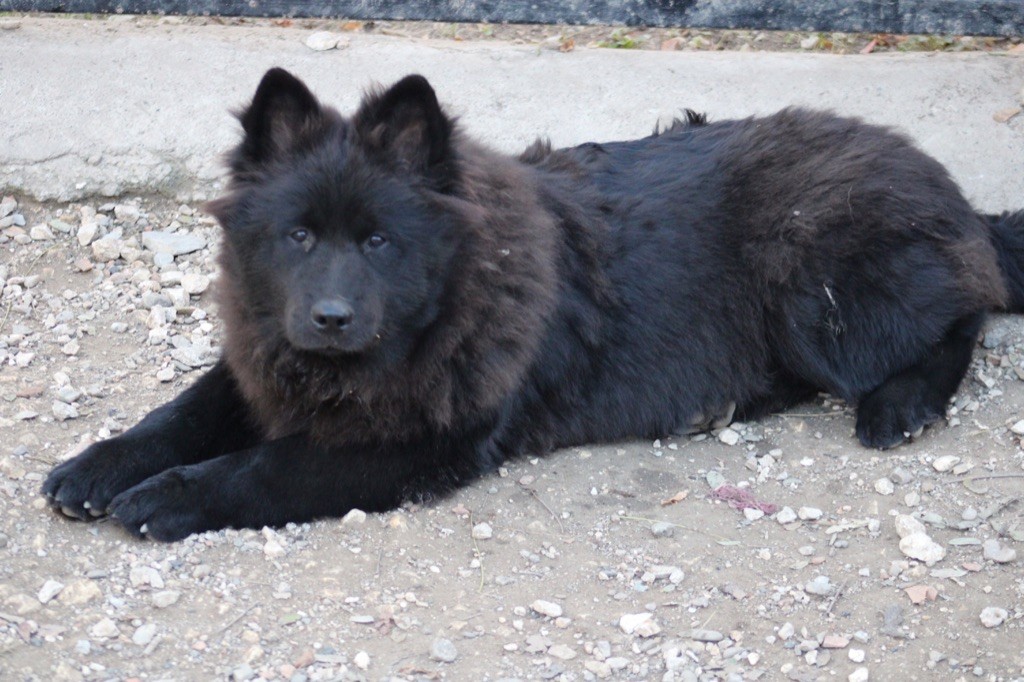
{"points": [[333, 242]]}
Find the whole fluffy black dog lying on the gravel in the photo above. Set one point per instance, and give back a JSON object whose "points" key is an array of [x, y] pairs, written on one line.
{"points": [[405, 309]]}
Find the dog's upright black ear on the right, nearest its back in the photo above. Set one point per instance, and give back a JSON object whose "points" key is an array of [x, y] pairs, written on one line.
{"points": [[407, 124]]}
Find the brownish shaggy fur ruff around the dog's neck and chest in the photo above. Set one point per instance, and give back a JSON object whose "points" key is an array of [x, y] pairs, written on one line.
{"points": [[497, 299]]}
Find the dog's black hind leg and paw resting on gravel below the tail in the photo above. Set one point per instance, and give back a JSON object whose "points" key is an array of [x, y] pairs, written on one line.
{"points": [[907, 402]]}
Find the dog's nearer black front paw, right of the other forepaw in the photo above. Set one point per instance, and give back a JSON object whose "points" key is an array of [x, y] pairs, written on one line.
{"points": [[167, 507]]}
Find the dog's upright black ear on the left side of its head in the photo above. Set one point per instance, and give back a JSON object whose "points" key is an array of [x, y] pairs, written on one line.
{"points": [[281, 111]]}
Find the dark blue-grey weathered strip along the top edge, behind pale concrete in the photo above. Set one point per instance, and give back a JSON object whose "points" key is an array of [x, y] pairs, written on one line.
{"points": [[989, 18]]}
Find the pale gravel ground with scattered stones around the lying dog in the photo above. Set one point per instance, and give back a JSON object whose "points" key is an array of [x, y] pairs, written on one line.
{"points": [[772, 550]]}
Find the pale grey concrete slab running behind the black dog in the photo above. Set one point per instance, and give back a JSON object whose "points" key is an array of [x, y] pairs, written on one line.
{"points": [[140, 106]]}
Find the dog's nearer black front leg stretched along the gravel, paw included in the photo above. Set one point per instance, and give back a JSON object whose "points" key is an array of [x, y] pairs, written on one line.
{"points": [[293, 480]]}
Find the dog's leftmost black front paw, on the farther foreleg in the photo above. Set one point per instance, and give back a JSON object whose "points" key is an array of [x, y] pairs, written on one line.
{"points": [[83, 487]]}
